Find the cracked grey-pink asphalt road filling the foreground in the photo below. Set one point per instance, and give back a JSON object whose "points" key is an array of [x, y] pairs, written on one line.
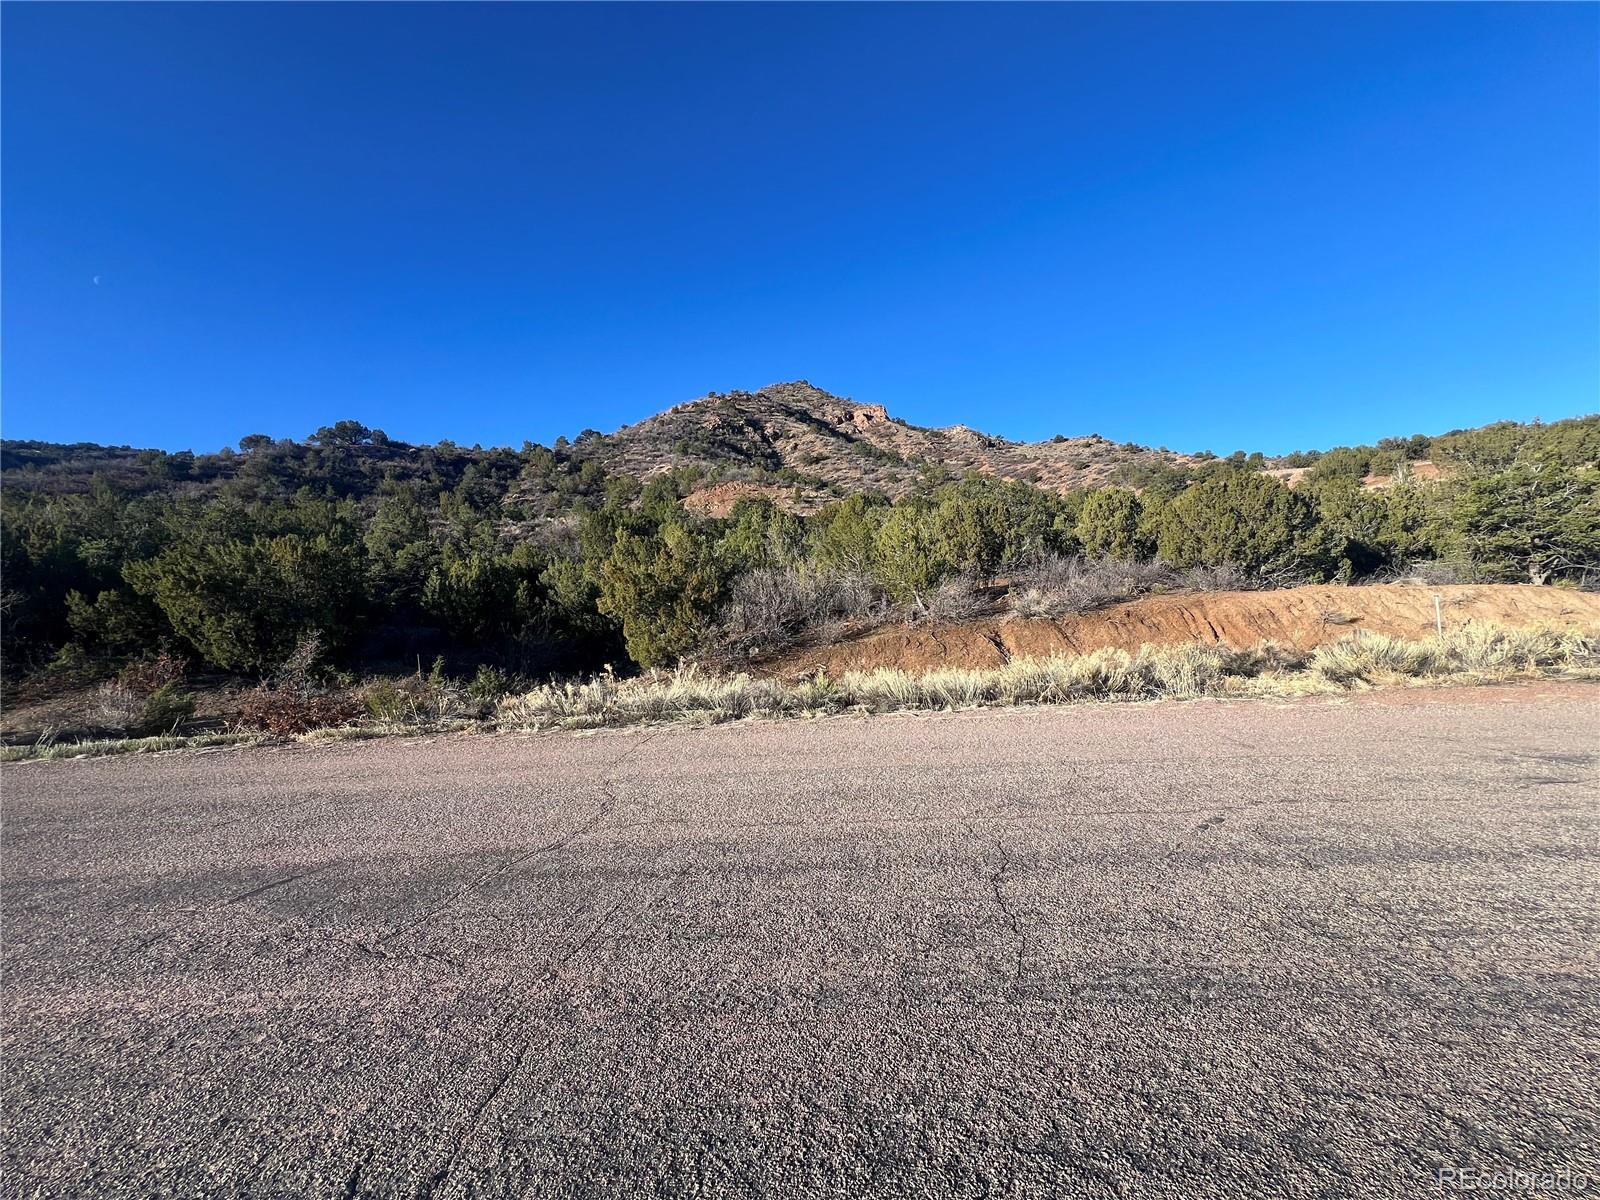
{"points": [[1154, 951]]}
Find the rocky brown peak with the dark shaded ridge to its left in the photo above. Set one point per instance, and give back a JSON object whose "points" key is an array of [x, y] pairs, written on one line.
{"points": [[794, 442]]}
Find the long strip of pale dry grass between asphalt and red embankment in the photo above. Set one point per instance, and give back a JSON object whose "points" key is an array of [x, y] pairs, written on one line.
{"points": [[1178, 673]]}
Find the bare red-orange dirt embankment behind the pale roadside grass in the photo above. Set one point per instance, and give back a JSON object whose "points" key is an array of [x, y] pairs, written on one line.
{"points": [[1297, 617]]}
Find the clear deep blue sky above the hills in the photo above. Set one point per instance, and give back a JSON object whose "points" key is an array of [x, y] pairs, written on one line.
{"points": [[1190, 226]]}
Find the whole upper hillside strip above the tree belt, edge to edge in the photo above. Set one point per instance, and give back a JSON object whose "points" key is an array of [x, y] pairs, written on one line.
{"points": [[791, 442]]}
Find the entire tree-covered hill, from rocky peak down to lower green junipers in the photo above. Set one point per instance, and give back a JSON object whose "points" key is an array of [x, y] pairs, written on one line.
{"points": [[580, 554]]}
